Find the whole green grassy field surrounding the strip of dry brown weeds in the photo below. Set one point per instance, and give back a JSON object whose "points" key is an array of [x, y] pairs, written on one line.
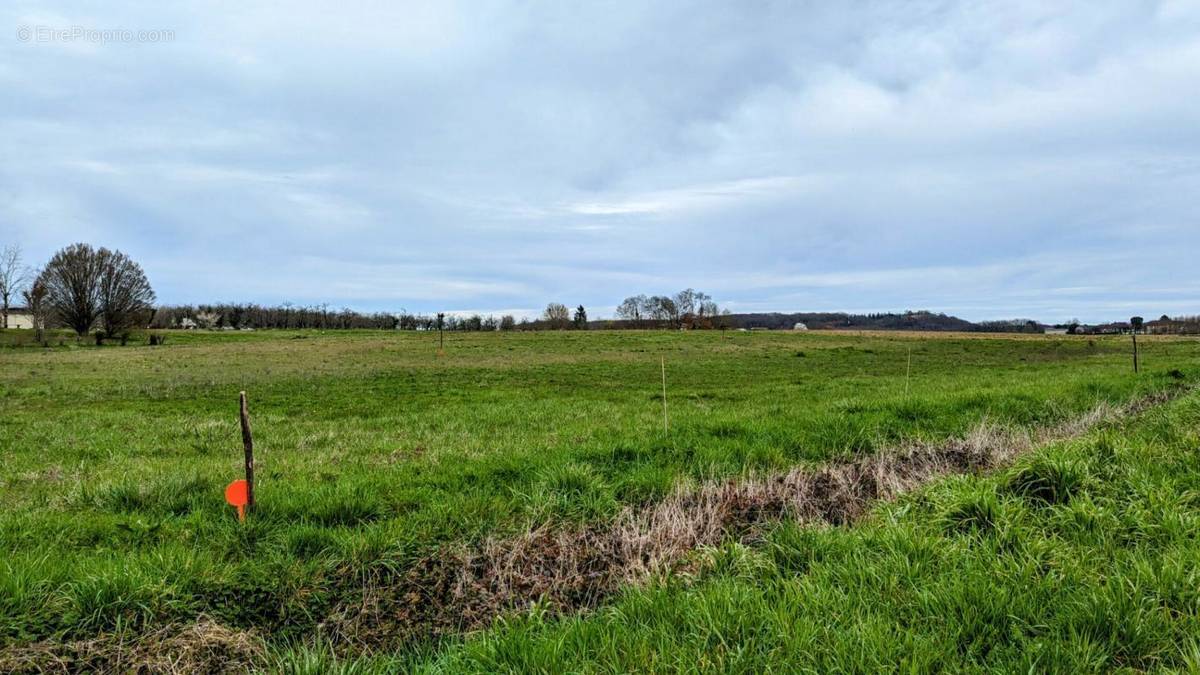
{"points": [[377, 455]]}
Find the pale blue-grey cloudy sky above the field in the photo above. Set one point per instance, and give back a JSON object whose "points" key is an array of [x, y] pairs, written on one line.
{"points": [[991, 160]]}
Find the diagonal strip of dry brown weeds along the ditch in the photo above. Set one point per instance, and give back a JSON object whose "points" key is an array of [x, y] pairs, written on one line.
{"points": [[567, 570]]}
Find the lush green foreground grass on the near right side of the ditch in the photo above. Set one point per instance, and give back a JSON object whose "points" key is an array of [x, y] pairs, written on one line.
{"points": [[973, 574]]}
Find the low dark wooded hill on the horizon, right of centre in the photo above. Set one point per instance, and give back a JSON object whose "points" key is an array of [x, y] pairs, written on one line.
{"points": [[905, 321]]}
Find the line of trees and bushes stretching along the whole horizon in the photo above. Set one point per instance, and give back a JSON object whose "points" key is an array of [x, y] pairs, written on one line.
{"points": [[99, 290]]}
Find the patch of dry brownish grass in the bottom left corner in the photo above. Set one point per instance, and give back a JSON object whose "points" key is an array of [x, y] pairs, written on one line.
{"points": [[201, 648]]}
